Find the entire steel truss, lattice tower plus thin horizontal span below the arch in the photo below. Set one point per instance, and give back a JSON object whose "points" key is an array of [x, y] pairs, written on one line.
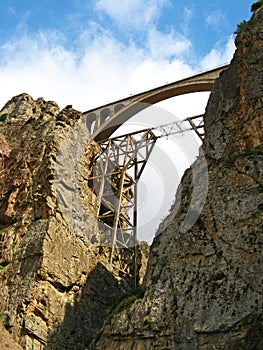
{"points": [[116, 171]]}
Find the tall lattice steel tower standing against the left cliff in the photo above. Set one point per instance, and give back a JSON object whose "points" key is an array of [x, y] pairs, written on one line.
{"points": [[121, 162]]}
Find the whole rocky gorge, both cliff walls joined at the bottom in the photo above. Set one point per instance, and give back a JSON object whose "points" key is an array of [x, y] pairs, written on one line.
{"points": [[203, 286]]}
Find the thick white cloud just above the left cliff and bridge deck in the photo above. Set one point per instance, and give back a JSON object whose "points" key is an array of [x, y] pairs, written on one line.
{"points": [[103, 70]]}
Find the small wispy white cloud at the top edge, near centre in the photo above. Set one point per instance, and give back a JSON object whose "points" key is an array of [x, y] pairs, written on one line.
{"points": [[135, 13]]}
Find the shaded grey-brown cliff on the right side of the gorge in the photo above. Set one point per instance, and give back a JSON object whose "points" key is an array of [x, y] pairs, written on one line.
{"points": [[204, 285]]}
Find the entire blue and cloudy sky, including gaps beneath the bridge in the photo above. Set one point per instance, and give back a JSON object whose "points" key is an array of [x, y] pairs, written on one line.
{"points": [[87, 53]]}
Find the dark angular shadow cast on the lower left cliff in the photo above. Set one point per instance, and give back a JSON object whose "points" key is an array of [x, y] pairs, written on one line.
{"points": [[84, 319]]}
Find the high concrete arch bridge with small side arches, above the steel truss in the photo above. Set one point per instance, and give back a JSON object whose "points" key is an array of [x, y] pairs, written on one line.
{"points": [[104, 120]]}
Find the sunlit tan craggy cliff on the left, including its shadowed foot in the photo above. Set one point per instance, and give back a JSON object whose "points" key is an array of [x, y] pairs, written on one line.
{"points": [[56, 282]]}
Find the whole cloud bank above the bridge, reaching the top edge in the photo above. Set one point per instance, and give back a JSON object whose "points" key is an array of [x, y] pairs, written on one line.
{"points": [[101, 67]]}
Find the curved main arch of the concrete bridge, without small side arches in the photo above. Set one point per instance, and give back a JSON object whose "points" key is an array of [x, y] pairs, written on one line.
{"points": [[134, 104]]}
